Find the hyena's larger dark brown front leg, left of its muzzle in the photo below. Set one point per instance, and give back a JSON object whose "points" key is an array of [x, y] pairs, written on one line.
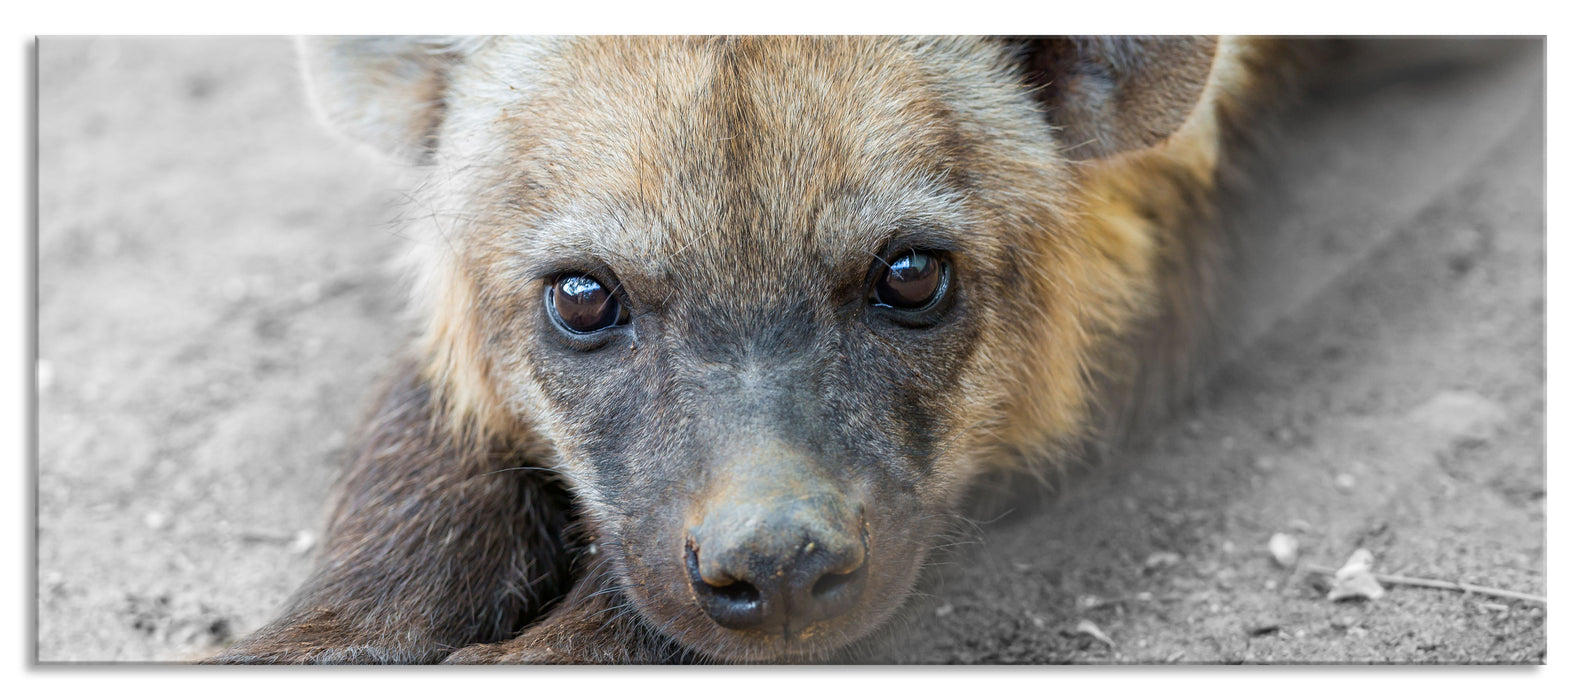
{"points": [[436, 544]]}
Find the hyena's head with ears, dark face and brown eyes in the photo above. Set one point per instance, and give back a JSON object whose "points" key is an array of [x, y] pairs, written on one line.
{"points": [[773, 302]]}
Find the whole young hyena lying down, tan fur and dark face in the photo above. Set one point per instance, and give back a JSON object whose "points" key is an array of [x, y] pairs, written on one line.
{"points": [[717, 333]]}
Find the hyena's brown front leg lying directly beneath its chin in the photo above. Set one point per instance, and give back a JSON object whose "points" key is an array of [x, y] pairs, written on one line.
{"points": [[594, 625]]}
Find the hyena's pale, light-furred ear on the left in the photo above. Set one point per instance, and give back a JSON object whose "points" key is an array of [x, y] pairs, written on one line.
{"points": [[384, 91]]}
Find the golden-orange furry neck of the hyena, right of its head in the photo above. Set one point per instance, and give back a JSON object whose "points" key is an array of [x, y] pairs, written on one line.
{"points": [[1164, 211]]}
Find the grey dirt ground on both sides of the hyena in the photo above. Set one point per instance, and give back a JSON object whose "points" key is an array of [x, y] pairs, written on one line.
{"points": [[216, 308]]}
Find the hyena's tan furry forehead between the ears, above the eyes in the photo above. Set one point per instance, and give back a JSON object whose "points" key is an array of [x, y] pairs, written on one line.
{"points": [[657, 151]]}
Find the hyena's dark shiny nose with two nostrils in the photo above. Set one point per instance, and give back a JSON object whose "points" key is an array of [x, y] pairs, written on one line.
{"points": [[778, 574]]}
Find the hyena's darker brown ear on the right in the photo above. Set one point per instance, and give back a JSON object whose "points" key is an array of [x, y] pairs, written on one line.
{"points": [[1116, 94]]}
